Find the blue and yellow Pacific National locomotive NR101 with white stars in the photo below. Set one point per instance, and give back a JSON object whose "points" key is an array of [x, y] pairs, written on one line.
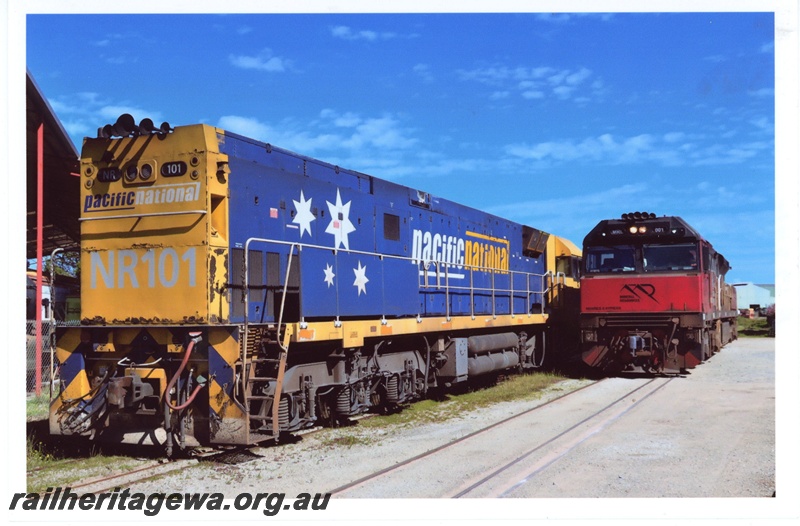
{"points": [[233, 291]]}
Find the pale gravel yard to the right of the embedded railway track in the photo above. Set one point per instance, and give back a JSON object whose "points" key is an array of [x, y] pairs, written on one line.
{"points": [[711, 434]]}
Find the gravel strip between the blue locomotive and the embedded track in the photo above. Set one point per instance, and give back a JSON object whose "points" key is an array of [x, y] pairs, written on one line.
{"points": [[317, 463]]}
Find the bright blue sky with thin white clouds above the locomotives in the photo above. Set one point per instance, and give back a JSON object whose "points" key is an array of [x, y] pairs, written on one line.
{"points": [[553, 120]]}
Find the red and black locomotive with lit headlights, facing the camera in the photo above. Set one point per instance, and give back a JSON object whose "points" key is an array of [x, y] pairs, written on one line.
{"points": [[653, 296]]}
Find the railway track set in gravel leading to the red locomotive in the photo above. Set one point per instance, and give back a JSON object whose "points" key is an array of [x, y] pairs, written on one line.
{"points": [[522, 465]]}
